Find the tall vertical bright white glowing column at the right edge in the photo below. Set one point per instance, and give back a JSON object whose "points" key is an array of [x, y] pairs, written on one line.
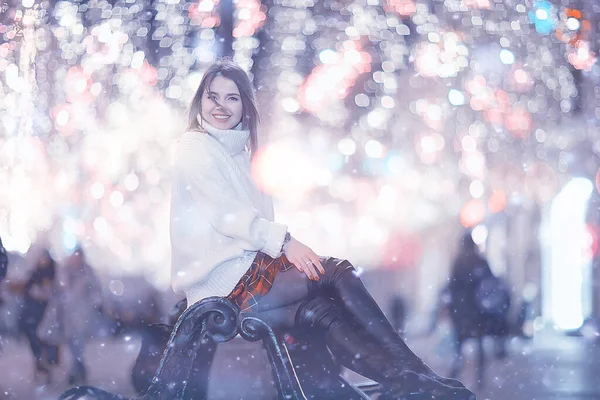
{"points": [[568, 270]]}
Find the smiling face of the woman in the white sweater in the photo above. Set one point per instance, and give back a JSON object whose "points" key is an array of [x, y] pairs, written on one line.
{"points": [[222, 103]]}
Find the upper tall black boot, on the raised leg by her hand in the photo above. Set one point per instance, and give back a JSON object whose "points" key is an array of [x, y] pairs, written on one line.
{"points": [[342, 281]]}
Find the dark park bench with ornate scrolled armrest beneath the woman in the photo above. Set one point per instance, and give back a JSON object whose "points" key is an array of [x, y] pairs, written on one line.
{"points": [[300, 364]]}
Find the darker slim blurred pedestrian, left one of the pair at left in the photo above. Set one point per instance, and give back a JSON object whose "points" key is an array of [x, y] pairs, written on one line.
{"points": [[38, 291]]}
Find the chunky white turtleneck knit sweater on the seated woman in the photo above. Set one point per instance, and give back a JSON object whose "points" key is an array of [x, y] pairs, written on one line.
{"points": [[219, 218]]}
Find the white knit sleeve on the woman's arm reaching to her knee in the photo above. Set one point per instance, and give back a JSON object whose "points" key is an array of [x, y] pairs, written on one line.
{"points": [[198, 166]]}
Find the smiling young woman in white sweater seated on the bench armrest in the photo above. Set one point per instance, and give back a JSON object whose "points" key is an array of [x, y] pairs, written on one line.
{"points": [[225, 243]]}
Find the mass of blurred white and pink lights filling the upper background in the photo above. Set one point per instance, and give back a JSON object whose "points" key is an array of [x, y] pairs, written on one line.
{"points": [[376, 120]]}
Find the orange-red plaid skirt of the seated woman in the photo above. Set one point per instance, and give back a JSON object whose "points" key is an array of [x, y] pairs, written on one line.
{"points": [[257, 281]]}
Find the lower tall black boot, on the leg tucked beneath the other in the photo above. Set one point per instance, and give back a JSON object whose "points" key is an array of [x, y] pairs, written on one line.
{"points": [[359, 352]]}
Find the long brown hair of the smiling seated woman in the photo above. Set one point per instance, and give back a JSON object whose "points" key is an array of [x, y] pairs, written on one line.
{"points": [[230, 70]]}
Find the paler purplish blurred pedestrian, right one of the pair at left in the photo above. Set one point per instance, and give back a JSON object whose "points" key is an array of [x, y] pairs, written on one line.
{"points": [[81, 307]]}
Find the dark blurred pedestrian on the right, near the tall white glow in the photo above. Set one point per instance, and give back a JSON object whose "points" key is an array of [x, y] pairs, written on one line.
{"points": [[478, 303]]}
